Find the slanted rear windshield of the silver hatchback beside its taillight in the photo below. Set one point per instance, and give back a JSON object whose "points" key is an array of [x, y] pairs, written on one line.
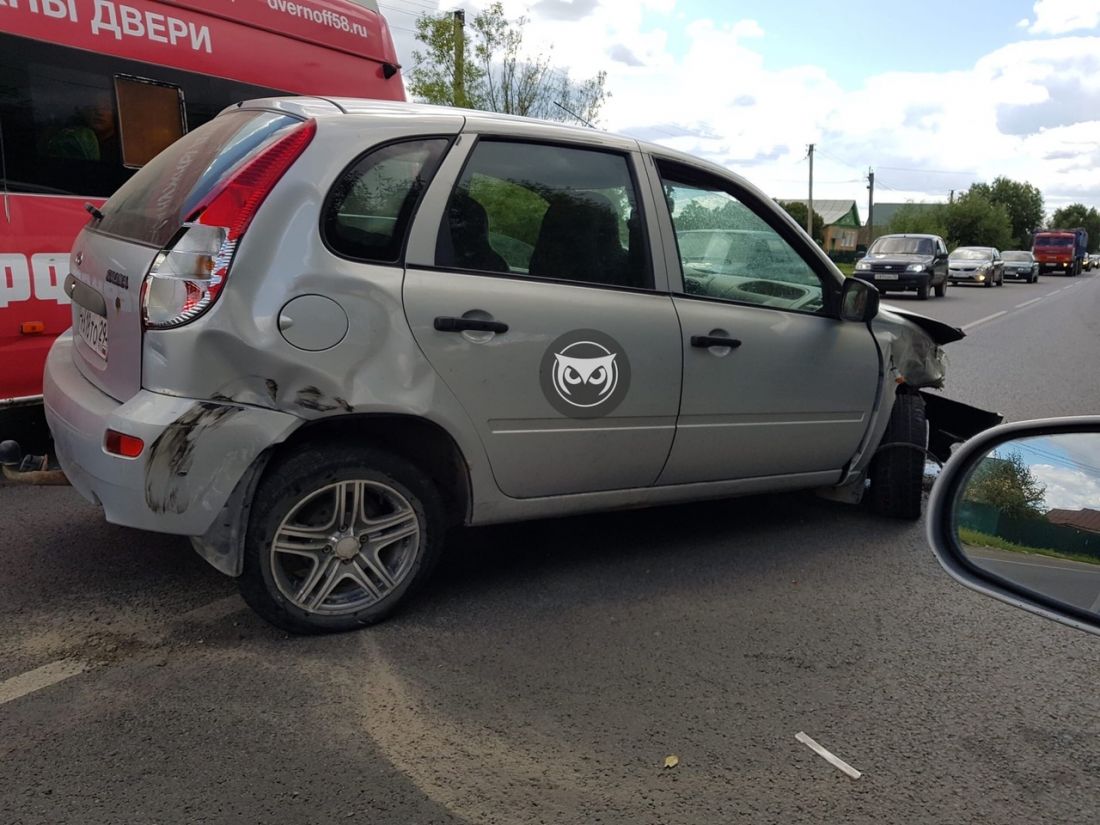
{"points": [[156, 202]]}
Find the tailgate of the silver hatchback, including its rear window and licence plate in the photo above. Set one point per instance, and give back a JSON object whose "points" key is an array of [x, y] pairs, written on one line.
{"points": [[113, 256]]}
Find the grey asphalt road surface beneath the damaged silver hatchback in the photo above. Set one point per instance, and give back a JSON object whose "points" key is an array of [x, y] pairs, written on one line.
{"points": [[549, 669]]}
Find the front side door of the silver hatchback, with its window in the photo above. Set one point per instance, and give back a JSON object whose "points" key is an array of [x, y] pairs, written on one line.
{"points": [[773, 386]]}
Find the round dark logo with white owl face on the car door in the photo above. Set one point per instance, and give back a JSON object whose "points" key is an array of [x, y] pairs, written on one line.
{"points": [[585, 375]]}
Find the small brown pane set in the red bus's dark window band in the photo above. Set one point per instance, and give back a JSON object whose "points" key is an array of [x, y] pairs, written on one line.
{"points": [[151, 118]]}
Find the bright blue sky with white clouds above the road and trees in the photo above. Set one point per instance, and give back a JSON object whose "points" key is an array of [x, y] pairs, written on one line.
{"points": [[934, 96]]}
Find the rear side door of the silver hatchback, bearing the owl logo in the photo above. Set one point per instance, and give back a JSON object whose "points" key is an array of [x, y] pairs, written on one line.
{"points": [[538, 307]]}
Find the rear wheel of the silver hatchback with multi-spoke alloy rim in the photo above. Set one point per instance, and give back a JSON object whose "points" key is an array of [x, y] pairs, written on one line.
{"points": [[339, 538]]}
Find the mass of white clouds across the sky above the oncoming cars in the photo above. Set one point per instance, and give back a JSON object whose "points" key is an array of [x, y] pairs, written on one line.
{"points": [[1029, 111]]}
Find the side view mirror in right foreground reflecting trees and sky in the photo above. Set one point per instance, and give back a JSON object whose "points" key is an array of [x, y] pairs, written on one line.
{"points": [[1016, 515]]}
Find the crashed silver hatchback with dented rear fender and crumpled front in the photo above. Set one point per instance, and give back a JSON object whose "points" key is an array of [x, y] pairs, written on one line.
{"points": [[315, 334]]}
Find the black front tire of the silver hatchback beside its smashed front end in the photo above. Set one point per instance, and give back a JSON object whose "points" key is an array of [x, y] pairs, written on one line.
{"points": [[897, 471]]}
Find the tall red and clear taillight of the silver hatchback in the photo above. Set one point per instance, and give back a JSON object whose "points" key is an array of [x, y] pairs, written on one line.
{"points": [[189, 274]]}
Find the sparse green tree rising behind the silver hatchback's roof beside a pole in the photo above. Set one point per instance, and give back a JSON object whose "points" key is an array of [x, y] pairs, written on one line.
{"points": [[498, 75]]}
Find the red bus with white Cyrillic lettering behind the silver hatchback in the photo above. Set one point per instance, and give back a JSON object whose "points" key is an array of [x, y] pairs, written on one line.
{"points": [[93, 90]]}
